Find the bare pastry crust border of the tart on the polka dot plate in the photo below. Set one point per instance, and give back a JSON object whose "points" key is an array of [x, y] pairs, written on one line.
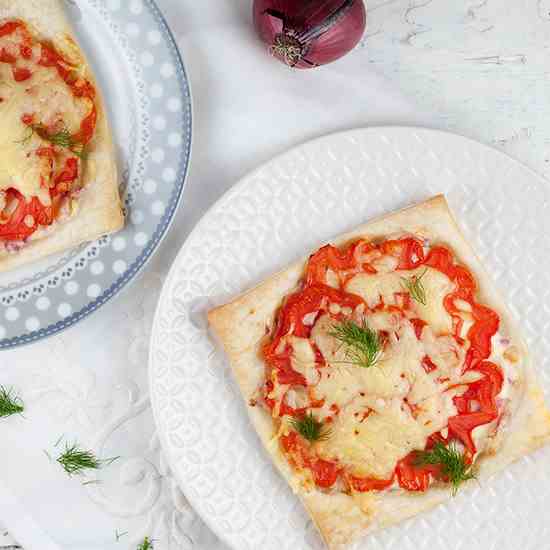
{"points": [[99, 205]]}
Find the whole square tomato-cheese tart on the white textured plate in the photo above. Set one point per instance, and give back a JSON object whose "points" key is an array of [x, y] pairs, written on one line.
{"points": [[384, 372]]}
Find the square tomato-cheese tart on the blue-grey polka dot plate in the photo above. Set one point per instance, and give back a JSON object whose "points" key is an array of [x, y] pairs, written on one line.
{"points": [[58, 172]]}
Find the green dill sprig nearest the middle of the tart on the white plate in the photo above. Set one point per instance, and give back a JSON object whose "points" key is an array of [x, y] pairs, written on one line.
{"points": [[363, 346]]}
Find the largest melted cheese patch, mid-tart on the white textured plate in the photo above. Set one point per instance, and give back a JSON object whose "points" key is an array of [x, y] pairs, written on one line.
{"points": [[376, 425]]}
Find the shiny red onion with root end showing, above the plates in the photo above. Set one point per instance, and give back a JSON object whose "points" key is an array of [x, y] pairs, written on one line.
{"points": [[309, 33]]}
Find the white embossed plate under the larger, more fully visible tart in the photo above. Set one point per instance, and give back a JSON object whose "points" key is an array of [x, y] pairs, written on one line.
{"points": [[281, 212]]}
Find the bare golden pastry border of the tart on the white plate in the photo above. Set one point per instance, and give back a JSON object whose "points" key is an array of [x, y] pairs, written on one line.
{"points": [[241, 324]]}
